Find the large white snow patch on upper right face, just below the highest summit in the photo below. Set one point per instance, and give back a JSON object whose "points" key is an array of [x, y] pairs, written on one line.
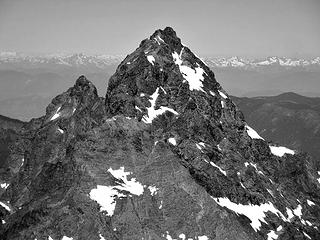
{"points": [[193, 76]]}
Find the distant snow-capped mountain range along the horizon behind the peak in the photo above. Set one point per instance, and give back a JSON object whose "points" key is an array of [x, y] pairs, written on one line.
{"points": [[100, 61]]}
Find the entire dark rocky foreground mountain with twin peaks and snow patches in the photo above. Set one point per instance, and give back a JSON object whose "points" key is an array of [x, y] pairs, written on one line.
{"points": [[165, 155]]}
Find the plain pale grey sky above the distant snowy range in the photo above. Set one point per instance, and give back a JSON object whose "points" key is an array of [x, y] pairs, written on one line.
{"points": [[209, 27]]}
